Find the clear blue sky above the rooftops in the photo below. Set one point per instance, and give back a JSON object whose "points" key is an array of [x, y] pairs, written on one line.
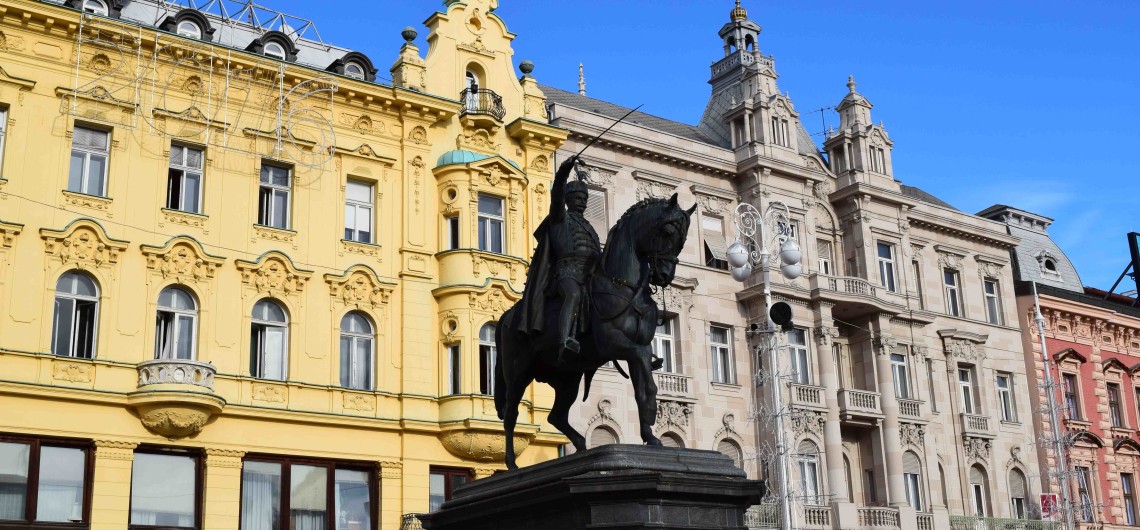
{"points": [[1032, 104]]}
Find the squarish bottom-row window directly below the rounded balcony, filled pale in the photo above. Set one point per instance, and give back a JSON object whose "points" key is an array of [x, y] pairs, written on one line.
{"points": [[165, 491]]}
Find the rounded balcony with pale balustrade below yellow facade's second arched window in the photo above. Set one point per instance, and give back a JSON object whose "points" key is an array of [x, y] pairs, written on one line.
{"points": [[176, 397]]}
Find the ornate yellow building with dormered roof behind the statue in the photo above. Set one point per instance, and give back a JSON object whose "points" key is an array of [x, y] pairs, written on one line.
{"points": [[245, 284]]}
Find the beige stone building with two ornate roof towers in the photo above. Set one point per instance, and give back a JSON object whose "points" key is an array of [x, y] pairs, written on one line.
{"points": [[907, 403]]}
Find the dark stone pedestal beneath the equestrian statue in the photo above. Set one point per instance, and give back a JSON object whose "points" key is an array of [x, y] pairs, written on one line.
{"points": [[613, 487]]}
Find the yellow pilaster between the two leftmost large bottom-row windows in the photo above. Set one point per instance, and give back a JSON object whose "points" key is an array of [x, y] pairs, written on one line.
{"points": [[111, 488]]}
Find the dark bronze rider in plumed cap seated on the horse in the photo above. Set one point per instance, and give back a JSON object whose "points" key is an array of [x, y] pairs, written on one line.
{"points": [[575, 250]]}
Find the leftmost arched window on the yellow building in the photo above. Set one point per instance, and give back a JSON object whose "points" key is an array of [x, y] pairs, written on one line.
{"points": [[77, 316]]}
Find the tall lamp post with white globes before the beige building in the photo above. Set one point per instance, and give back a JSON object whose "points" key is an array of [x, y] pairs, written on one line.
{"points": [[755, 233]]}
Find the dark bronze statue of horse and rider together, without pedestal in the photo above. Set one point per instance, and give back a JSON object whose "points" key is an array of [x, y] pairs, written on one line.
{"points": [[584, 307]]}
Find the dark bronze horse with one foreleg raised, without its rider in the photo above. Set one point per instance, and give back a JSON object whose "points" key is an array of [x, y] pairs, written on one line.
{"points": [[641, 252]]}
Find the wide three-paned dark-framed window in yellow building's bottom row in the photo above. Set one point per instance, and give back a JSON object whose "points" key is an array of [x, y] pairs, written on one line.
{"points": [[280, 494]]}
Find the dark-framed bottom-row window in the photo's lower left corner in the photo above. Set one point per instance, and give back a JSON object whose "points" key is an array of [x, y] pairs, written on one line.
{"points": [[44, 482]]}
